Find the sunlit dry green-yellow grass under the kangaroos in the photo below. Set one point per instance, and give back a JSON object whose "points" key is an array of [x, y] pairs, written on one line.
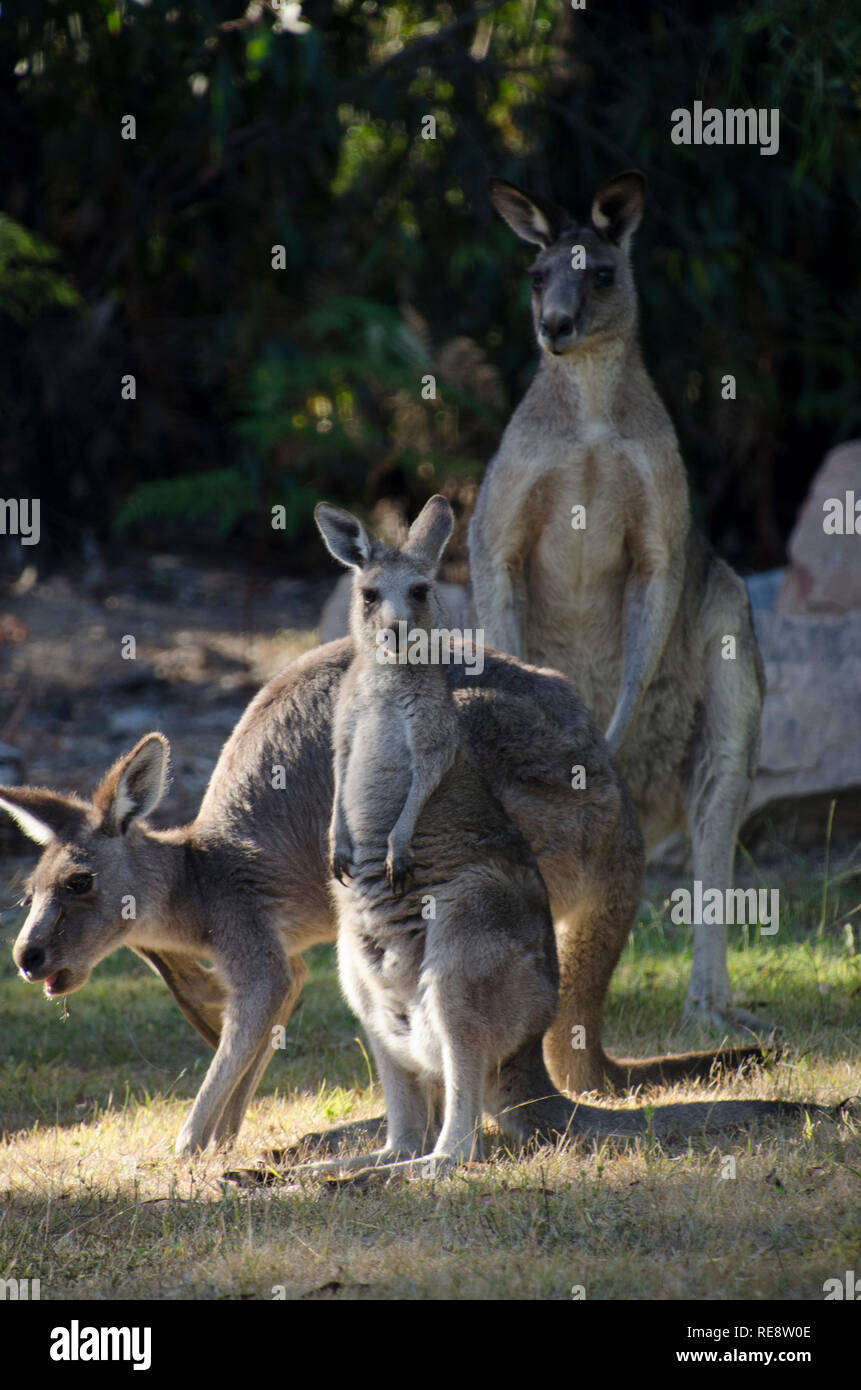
{"points": [[94, 1203]]}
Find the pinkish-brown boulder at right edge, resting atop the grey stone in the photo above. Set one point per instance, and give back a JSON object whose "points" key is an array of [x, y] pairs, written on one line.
{"points": [[826, 569]]}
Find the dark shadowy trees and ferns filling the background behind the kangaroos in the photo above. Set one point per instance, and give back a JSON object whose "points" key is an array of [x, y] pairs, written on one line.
{"points": [[259, 387]]}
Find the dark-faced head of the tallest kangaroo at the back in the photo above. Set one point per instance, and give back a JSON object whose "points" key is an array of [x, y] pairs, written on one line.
{"points": [[584, 288]]}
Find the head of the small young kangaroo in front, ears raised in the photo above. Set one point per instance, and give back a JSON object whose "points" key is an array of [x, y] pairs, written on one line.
{"points": [[392, 587]]}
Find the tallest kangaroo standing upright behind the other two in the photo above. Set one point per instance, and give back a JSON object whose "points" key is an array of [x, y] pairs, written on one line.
{"points": [[584, 557]]}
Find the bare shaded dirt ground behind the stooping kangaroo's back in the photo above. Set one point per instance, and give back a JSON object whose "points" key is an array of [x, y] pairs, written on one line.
{"points": [[90, 665]]}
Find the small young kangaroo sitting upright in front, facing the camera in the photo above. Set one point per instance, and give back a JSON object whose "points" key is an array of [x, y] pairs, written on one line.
{"points": [[456, 975]]}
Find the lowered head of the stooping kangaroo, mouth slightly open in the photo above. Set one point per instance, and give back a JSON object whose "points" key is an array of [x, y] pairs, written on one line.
{"points": [[91, 865]]}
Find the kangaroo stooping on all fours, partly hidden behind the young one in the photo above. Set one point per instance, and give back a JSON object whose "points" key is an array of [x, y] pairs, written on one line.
{"points": [[247, 883]]}
